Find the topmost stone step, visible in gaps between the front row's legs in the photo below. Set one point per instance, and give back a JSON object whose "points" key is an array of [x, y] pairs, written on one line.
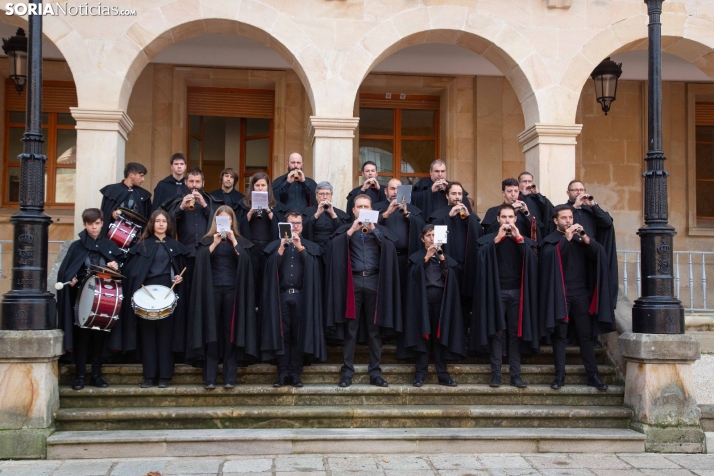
{"points": [[131, 374]]}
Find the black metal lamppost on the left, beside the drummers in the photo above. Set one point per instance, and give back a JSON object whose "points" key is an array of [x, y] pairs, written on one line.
{"points": [[28, 305]]}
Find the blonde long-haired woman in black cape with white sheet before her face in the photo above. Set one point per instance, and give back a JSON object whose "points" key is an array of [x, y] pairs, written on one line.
{"points": [[222, 320]]}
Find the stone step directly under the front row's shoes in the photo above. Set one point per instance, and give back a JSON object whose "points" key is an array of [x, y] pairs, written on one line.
{"points": [[131, 396]]}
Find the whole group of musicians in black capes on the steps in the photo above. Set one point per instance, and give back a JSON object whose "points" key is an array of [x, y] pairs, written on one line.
{"points": [[529, 274]]}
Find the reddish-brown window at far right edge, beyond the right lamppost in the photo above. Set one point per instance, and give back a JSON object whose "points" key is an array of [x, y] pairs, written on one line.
{"points": [[704, 120]]}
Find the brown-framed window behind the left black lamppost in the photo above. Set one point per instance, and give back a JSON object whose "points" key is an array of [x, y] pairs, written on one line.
{"points": [[60, 143]]}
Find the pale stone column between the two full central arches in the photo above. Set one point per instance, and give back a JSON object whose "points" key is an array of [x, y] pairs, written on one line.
{"points": [[332, 153]]}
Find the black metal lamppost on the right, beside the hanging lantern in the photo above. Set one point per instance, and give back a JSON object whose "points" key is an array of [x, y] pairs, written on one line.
{"points": [[657, 311]]}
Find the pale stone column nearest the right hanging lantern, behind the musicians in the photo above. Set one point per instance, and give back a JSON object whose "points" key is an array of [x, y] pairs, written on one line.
{"points": [[550, 157]]}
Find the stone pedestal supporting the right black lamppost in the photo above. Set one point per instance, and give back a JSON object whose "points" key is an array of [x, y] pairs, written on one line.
{"points": [[659, 388]]}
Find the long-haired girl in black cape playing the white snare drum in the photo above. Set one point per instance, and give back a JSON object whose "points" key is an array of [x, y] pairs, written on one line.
{"points": [[153, 266]]}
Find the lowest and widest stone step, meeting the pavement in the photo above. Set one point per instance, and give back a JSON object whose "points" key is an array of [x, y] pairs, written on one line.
{"points": [[192, 443]]}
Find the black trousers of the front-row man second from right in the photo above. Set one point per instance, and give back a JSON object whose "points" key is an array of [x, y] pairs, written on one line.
{"points": [[511, 300]]}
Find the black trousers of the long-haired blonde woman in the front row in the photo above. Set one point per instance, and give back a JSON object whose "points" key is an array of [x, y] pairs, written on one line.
{"points": [[222, 349]]}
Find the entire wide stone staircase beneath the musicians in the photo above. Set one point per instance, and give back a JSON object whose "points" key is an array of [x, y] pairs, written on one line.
{"points": [[472, 411]]}
